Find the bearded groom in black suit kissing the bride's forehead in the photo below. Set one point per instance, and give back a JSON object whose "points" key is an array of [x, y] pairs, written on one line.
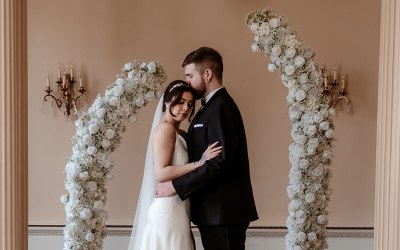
{"points": [[220, 192]]}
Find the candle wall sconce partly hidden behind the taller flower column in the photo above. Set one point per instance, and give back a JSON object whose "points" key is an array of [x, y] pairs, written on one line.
{"points": [[332, 87]]}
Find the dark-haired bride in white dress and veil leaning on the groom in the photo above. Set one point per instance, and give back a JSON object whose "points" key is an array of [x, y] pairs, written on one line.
{"points": [[164, 223]]}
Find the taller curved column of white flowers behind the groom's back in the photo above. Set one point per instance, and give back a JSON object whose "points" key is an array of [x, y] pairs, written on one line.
{"points": [[310, 154]]}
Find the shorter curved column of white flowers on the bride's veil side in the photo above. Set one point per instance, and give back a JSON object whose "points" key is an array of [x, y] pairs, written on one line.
{"points": [[98, 134]]}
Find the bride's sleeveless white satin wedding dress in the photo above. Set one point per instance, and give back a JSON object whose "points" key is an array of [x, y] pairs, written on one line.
{"points": [[168, 219]]}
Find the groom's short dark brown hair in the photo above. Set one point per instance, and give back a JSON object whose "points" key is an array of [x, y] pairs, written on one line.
{"points": [[206, 58]]}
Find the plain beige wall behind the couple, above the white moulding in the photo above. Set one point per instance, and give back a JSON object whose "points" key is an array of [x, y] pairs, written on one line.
{"points": [[99, 36]]}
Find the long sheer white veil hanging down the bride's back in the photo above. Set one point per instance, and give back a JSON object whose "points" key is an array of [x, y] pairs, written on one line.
{"points": [[147, 190]]}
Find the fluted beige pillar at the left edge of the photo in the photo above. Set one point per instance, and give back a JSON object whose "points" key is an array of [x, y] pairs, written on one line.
{"points": [[13, 126]]}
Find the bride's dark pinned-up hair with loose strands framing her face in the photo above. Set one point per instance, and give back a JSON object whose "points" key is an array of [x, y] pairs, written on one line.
{"points": [[173, 94]]}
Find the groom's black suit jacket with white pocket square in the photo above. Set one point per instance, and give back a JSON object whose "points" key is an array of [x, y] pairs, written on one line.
{"points": [[220, 191]]}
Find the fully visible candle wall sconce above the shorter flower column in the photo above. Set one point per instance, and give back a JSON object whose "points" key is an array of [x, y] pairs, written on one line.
{"points": [[67, 100]]}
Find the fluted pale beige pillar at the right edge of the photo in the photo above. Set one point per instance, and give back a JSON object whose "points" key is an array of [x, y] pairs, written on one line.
{"points": [[387, 201]]}
